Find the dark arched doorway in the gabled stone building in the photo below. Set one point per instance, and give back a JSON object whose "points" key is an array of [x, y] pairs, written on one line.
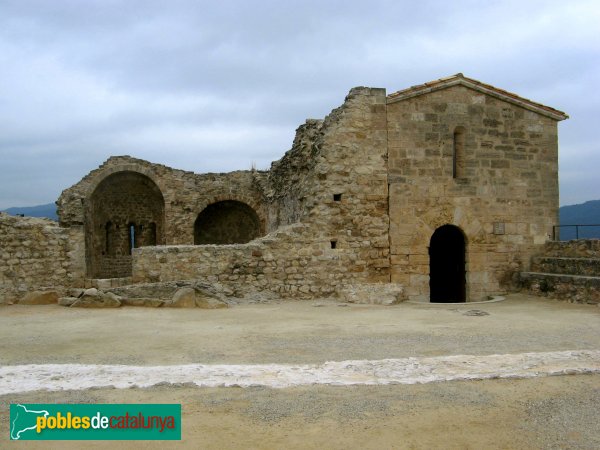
{"points": [[447, 273]]}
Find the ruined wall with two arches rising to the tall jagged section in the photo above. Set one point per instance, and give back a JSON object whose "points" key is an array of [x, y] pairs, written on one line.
{"points": [[333, 180]]}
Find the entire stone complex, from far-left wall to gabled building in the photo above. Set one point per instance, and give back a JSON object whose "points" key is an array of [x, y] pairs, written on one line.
{"points": [[356, 200]]}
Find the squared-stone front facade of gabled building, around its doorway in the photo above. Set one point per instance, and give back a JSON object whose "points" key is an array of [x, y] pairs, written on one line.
{"points": [[509, 177]]}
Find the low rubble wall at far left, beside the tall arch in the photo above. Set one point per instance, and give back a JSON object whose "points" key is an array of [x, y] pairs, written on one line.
{"points": [[37, 254]]}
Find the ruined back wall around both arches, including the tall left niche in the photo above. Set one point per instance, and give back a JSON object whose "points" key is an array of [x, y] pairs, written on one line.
{"points": [[164, 207]]}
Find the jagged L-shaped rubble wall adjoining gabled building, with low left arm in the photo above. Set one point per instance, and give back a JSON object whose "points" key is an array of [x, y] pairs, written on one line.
{"points": [[333, 239]]}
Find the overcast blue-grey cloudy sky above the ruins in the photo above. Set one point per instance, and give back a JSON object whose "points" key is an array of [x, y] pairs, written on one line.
{"points": [[218, 86]]}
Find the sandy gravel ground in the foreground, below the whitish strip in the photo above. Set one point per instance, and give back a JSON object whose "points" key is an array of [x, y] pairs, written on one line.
{"points": [[543, 413]]}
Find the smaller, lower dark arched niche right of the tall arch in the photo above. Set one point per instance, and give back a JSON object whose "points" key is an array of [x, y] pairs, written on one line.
{"points": [[227, 222]]}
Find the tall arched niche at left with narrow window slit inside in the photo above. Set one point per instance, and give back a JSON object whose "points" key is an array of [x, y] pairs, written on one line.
{"points": [[125, 211]]}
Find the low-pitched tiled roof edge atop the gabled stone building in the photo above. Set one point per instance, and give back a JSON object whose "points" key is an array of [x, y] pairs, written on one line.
{"points": [[460, 79]]}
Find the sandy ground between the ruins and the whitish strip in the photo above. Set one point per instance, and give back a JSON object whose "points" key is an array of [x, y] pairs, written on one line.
{"points": [[291, 332]]}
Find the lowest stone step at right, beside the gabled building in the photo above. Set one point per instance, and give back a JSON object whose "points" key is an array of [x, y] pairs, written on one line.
{"points": [[574, 288]]}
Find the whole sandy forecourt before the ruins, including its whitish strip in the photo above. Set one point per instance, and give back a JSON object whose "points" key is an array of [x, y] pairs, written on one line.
{"points": [[536, 412]]}
